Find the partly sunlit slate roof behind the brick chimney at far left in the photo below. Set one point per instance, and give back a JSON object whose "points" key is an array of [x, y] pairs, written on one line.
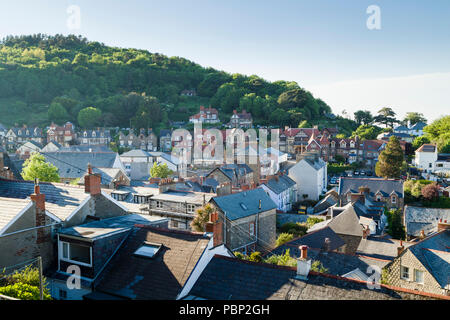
{"points": [[60, 200]]}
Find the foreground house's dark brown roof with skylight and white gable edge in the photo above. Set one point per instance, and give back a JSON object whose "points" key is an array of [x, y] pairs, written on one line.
{"points": [[160, 264]]}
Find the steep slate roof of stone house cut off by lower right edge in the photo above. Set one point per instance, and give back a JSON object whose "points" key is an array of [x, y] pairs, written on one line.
{"points": [[434, 253]]}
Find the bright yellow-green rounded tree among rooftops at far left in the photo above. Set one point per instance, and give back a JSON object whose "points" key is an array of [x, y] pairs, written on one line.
{"points": [[35, 167]]}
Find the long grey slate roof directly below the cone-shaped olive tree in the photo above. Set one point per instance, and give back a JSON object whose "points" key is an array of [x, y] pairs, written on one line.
{"points": [[385, 186]]}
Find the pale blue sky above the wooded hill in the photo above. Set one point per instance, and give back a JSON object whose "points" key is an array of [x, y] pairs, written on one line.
{"points": [[325, 46]]}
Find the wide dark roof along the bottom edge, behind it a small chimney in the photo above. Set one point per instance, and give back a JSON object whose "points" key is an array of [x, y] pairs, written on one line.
{"points": [[233, 279]]}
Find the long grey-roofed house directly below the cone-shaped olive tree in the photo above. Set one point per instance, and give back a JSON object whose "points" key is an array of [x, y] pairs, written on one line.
{"points": [[387, 191]]}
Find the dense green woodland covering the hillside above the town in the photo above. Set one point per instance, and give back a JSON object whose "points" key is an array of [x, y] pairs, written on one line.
{"points": [[68, 78]]}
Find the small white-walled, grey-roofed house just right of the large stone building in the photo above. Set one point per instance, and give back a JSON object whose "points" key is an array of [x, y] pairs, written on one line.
{"points": [[282, 190]]}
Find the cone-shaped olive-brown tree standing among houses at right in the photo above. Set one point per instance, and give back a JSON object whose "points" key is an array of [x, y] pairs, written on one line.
{"points": [[390, 160]]}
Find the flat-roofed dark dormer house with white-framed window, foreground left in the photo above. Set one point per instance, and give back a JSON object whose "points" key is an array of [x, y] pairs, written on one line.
{"points": [[89, 247]]}
